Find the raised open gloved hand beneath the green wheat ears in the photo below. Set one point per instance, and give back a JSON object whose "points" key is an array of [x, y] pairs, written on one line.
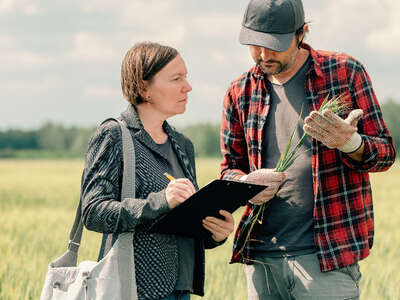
{"points": [[333, 131]]}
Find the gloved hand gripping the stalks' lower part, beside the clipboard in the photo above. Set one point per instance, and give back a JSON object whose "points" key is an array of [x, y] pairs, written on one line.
{"points": [[264, 177]]}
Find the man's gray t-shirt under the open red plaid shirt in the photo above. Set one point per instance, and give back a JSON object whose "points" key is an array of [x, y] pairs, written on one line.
{"points": [[287, 227]]}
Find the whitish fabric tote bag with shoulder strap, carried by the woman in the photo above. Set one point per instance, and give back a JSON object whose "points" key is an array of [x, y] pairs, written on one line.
{"points": [[113, 277]]}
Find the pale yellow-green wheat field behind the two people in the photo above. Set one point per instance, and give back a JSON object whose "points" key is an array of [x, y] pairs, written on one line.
{"points": [[38, 199]]}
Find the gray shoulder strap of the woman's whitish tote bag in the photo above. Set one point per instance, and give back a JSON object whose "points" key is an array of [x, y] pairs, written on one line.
{"points": [[127, 191]]}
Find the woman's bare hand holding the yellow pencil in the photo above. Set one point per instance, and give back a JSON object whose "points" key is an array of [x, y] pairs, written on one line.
{"points": [[178, 190]]}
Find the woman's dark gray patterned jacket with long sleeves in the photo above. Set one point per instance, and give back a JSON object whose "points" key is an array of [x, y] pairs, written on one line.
{"points": [[156, 255]]}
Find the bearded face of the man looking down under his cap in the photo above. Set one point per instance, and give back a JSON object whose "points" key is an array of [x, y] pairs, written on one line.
{"points": [[274, 62]]}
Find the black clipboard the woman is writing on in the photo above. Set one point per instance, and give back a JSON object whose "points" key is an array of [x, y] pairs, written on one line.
{"points": [[186, 219]]}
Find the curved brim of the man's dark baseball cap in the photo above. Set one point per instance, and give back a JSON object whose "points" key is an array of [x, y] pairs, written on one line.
{"points": [[273, 41]]}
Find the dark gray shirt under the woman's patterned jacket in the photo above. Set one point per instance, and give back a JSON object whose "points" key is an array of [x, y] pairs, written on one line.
{"points": [[185, 245]]}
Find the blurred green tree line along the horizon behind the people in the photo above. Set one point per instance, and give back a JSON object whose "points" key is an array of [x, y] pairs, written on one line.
{"points": [[55, 140]]}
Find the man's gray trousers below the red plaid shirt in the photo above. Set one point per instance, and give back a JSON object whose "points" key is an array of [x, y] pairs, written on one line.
{"points": [[300, 278]]}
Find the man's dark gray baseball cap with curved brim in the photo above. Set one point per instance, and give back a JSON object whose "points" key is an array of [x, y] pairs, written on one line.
{"points": [[271, 23]]}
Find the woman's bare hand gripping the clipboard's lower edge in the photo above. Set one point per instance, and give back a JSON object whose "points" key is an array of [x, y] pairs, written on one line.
{"points": [[220, 229]]}
